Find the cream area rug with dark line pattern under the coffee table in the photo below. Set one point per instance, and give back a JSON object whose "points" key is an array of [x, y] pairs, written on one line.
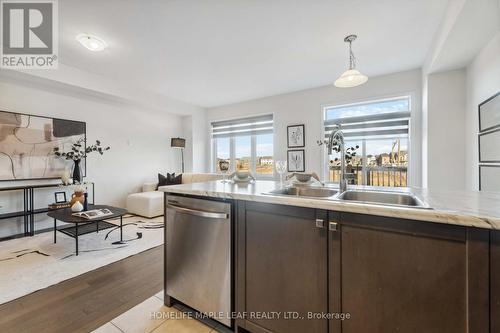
{"points": [[32, 263]]}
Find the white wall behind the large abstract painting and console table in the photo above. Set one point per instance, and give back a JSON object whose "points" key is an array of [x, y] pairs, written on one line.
{"points": [[139, 138]]}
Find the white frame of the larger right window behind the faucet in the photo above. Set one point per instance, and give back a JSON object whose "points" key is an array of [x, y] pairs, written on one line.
{"points": [[410, 165]]}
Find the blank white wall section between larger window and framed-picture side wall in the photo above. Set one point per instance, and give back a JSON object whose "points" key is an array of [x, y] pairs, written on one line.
{"points": [[445, 128]]}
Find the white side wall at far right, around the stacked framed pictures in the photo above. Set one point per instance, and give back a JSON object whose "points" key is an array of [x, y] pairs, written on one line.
{"points": [[483, 81]]}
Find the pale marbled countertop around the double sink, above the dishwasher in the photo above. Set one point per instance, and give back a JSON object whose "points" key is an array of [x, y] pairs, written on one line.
{"points": [[466, 208]]}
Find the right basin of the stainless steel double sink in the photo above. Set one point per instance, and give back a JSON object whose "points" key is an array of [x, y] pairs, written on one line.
{"points": [[384, 198]]}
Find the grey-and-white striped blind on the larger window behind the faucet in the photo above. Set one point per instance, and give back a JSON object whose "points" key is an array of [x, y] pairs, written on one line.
{"points": [[379, 119]]}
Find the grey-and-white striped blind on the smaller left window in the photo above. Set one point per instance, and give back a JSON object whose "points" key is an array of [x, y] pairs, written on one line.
{"points": [[243, 126]]}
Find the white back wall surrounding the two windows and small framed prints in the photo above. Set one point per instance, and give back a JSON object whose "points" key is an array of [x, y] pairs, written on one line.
{"points": [[305, 107]]}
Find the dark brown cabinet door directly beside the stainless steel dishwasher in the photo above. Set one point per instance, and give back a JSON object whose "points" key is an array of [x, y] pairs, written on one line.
{"points": [[285, 268]]}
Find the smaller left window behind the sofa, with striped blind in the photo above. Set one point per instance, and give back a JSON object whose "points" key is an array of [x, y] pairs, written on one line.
{"points": [[247, 143]]}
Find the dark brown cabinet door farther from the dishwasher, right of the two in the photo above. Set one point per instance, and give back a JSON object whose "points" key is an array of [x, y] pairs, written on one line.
{"points": [[395, 275]]}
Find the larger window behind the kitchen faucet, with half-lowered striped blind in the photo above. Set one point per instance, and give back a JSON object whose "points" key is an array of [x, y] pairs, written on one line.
{"points": [[378, 133]]}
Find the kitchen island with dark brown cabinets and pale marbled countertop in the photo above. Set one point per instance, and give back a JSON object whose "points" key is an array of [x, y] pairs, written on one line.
{"points": [[326, 265]]}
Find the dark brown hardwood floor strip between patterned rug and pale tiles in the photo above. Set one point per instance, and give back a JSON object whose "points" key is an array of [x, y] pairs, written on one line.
{"points": [[88, 301]]}
